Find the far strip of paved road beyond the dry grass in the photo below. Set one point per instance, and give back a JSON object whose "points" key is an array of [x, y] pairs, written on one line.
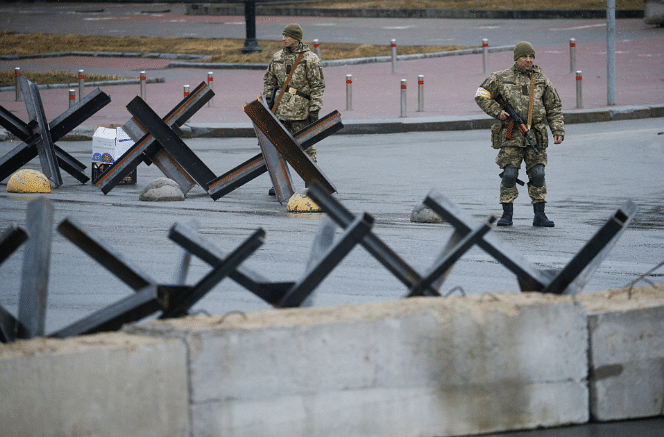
{"points": [[170, 19]]}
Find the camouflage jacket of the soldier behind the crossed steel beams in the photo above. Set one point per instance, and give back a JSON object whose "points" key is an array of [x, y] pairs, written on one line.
{"points": [[308, 79]]}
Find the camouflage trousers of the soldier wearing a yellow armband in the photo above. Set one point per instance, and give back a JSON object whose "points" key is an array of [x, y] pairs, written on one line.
{"points": [[513, 156]]}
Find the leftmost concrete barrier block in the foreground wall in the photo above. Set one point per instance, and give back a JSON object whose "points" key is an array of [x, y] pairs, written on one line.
{"points": [[99, 385]]}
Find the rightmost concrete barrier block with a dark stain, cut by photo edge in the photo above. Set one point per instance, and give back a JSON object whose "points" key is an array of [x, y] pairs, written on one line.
{"points": [[626, 353]]}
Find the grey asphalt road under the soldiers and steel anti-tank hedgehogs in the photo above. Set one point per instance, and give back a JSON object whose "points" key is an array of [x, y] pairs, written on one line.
{"points": [[593, 173]]}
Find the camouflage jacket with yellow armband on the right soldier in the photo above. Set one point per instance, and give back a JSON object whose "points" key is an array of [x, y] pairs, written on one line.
{"points": [[514, 85]]}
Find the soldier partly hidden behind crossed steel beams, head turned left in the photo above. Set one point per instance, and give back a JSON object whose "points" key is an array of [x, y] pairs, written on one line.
{"points": [[294, 84]]}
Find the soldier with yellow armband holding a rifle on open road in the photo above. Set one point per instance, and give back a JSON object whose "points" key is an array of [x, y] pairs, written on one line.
{"points": [[524, 99]]}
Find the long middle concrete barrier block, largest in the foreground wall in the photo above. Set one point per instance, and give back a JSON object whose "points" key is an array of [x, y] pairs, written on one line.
{"points": [[414, 367]]}
